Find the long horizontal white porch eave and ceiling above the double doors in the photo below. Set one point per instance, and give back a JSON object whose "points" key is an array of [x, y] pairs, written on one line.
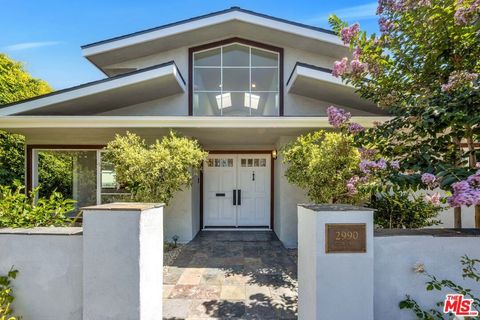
{"points": [[213, 133]]}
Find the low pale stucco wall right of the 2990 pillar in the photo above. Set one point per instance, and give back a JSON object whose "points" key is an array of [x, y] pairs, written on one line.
{"points": [[395, 257]]}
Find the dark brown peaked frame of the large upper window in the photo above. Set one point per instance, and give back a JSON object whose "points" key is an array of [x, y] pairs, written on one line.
{"points": [[211, 45]]}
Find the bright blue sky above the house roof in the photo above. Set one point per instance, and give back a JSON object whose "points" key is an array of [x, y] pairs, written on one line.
{"points": [[47, 35]]}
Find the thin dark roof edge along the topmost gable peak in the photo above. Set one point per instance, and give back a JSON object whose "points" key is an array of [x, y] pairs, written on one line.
{"points": [[232, 9]]}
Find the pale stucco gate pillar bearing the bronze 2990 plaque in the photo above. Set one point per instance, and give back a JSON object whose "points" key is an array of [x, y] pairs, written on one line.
{"points": [[335, 262]]}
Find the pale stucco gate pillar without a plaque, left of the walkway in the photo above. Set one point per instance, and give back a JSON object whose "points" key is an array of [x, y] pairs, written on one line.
{"points": [[123, 261]]}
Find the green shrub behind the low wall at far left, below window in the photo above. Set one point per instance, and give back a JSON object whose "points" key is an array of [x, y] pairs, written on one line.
{"points": [[18, 210]]}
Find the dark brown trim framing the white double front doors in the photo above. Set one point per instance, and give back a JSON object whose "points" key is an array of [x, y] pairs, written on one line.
{"points": [[272, 170]]}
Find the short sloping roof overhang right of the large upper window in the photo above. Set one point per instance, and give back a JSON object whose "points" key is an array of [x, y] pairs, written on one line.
{"points": [[319, 83]]}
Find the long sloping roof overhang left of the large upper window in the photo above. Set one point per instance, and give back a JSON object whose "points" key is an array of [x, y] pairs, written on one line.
{"points": [[106, 94]]}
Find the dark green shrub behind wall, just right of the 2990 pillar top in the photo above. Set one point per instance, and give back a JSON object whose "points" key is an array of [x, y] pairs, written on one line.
{"points": [[403, 210]]}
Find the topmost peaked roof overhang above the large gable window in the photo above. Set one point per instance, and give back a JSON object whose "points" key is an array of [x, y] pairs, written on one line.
{"points": [[218, 25]]}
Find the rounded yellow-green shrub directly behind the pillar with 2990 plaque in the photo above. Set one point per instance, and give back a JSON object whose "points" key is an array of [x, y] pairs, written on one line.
{"points": [[321, 163]]}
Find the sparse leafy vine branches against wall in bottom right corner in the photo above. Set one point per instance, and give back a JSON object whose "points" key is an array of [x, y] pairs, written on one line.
{"points": [[469, 271]]}
